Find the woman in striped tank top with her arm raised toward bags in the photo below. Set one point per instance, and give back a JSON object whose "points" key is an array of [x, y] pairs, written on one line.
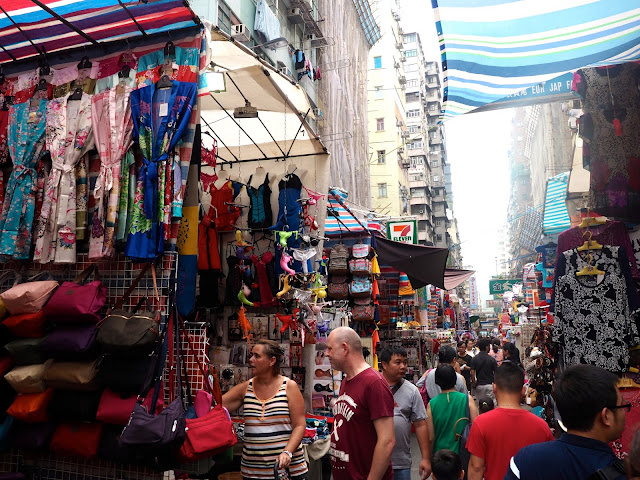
{"points": [[274, 422]]}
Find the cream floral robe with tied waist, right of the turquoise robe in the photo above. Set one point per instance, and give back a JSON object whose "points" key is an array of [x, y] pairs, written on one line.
{"points": [[69, 136]]}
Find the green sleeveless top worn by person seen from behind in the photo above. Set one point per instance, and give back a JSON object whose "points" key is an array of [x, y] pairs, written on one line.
{"points": [[446, 410]]}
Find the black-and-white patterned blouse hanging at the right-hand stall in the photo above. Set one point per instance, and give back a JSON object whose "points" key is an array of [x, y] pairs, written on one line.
{"points": [[596, 315]]}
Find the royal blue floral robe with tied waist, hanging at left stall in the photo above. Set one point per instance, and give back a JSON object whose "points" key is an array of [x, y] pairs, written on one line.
{"points": [[160, 120]]}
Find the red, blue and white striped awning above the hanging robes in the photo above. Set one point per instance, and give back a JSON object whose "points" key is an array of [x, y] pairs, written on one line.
{"points": [[32, 27]]}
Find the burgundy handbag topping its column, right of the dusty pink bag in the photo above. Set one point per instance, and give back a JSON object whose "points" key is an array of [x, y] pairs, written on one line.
{"points": [[74, 302]]}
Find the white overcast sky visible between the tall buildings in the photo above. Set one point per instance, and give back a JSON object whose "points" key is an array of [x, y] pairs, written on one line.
{"points": [[477, 146]]}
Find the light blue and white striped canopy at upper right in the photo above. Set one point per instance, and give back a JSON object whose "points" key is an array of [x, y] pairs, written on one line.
{"points": [[493, 48]]}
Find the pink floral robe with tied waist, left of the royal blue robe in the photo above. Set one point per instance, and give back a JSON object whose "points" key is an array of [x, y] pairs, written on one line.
{"points": [[112, 128]]}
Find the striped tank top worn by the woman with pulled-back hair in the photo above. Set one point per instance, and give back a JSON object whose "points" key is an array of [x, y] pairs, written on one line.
{"points": [[267, 429]]}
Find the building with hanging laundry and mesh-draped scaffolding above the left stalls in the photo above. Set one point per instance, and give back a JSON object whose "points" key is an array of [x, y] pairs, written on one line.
{"points": [[336, 38]]}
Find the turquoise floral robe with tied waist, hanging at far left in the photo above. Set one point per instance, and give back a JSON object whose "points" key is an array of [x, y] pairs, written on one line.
{"points": [[26, 139]]}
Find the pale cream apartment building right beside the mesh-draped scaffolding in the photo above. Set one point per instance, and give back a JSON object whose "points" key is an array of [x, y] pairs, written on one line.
{"points": [[390, 190]]}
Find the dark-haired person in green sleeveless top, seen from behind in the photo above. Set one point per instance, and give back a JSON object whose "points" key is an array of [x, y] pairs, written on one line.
{"points": [[448, 411]]}
